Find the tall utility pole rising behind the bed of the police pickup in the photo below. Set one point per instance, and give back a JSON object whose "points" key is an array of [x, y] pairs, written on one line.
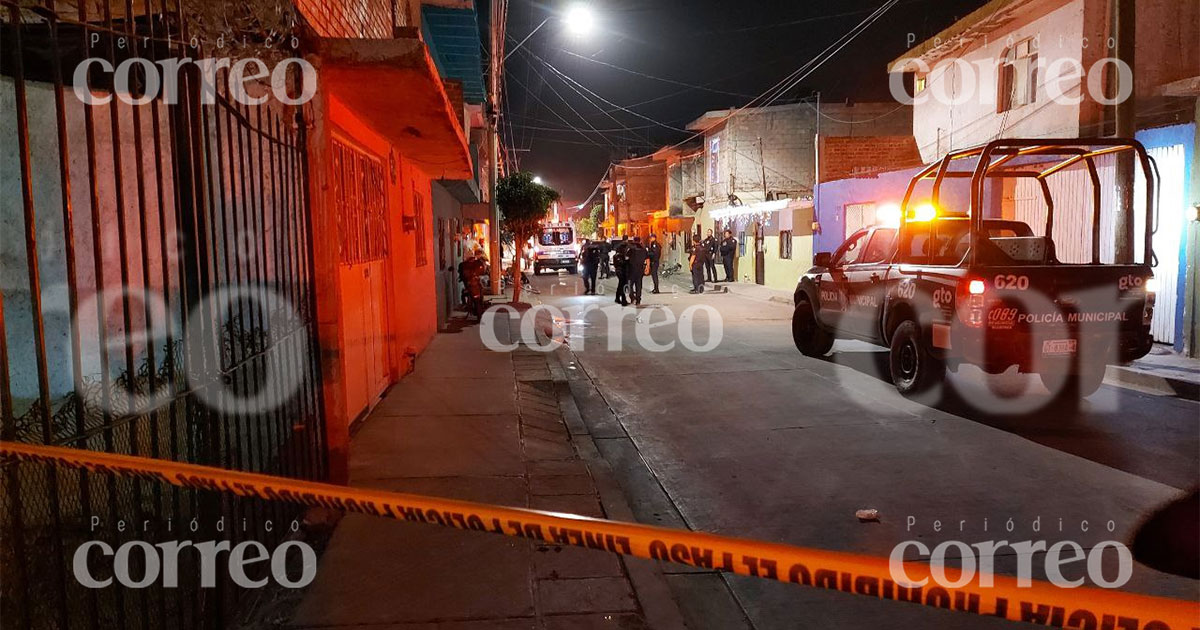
{"points": [[1125, 31]]}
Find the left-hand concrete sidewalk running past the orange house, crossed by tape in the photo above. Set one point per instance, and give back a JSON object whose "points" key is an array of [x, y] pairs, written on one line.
{"points": [[487, 427]]}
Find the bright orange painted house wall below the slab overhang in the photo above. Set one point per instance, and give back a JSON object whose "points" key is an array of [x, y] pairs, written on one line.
{"points": [[407, 314]]}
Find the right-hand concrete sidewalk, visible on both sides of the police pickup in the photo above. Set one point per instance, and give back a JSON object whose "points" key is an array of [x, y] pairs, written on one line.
{"points": [[1163, 371]]}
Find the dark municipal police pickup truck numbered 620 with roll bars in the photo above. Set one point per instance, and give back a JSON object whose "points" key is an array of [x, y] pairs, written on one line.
{"points": [[993, 279]]}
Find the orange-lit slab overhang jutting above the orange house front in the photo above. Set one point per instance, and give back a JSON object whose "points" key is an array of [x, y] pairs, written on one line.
{"points": [[395, 89]]}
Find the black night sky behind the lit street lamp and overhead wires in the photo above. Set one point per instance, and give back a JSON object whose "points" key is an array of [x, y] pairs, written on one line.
{"points": [[737, 50]]}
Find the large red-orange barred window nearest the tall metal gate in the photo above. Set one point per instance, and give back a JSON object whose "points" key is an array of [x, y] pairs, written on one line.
{"points": [[361, 201]]}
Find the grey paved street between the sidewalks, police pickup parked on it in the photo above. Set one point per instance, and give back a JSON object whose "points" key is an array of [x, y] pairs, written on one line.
{"points": [[754, 440]]}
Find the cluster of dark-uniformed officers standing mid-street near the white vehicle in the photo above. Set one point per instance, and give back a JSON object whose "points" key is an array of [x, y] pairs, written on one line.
{"points": [[632, 262]]}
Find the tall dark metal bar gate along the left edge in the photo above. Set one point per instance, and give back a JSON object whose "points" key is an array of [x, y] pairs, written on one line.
{"points": [[157, 299]]}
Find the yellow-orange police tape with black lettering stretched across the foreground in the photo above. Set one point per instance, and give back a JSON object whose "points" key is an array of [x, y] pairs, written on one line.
{"points": [[1042, 603]]}
